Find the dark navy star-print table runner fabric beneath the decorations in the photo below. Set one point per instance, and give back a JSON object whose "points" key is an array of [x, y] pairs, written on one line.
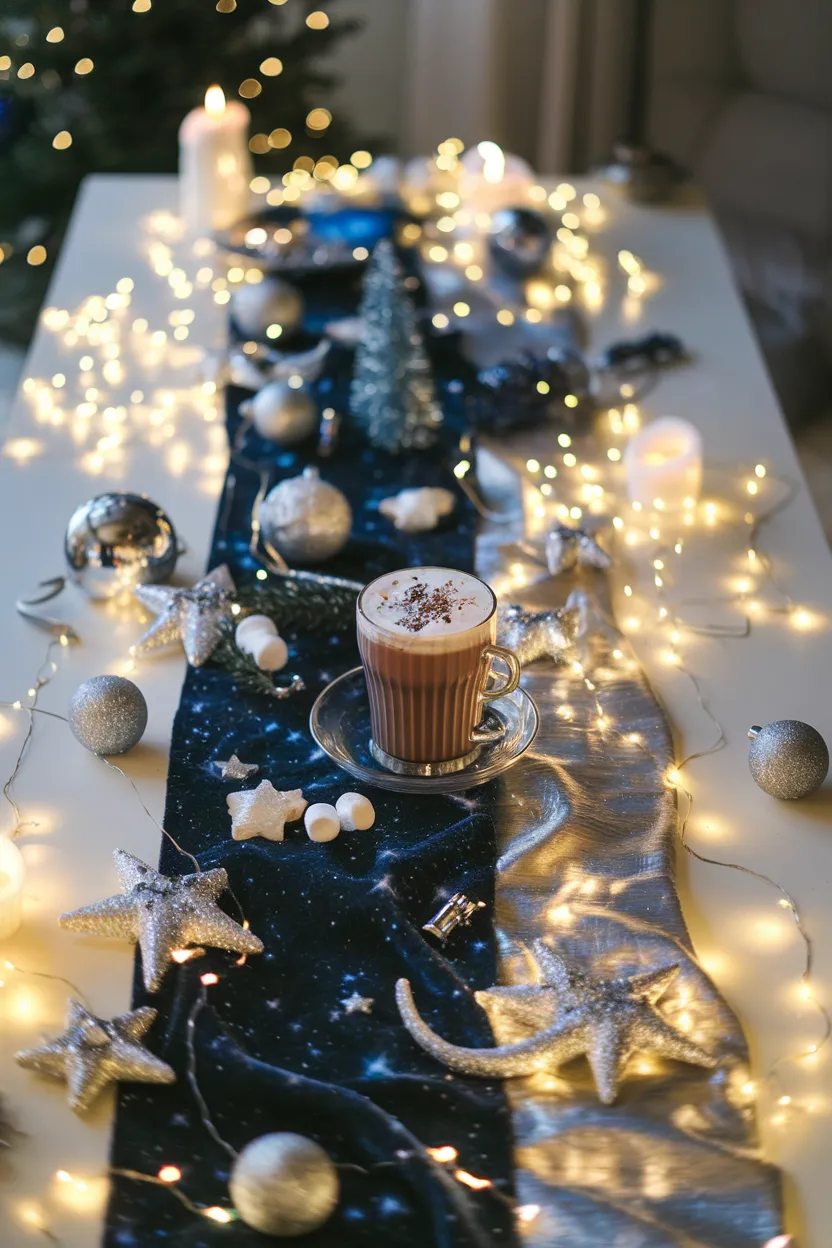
{"points": [[276, 1049]]}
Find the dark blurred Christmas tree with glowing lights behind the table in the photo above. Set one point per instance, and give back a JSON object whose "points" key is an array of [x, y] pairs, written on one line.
{"points": [[103, 85]]}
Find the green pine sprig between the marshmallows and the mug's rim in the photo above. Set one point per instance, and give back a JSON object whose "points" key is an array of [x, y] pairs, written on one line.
{"points": [[302, 603]]}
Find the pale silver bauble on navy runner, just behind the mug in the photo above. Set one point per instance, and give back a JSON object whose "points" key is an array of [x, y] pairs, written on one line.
{"points": [[306, 520]]}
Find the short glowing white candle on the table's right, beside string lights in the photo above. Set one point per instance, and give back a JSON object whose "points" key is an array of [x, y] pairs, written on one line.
{"points": [[664, 464]]}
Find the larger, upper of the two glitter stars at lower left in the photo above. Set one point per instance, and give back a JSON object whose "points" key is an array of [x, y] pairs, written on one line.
{"points": [[164, 914]]}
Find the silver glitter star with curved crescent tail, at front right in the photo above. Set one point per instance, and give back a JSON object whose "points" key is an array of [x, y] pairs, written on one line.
{"points": [[567, 1015]]}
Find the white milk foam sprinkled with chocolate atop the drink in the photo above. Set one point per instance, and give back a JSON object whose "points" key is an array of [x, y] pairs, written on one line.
{"points": [[420, 603]]}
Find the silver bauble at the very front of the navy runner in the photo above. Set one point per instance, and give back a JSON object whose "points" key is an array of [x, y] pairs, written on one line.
{"points": [[284, 1185]]}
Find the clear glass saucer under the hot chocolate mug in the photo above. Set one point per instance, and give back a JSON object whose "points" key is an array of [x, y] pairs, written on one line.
{"points": [[340, 723]]}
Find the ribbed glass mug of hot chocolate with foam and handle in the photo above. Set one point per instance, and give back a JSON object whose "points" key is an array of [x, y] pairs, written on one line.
{"points": [[427, 642]]}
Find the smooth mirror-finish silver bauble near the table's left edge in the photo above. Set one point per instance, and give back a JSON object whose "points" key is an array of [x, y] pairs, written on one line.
{"points": [[115, 542]]}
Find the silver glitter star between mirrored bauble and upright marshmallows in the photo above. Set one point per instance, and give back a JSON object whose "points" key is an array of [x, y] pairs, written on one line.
{"points": [[194, 617]]}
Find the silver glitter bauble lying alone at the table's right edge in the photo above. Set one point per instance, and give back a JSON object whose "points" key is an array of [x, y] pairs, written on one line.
{"points": [[788, 759]]}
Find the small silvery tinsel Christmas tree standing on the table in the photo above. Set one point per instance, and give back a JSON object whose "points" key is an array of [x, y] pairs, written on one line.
{"points": [[394, 397]]}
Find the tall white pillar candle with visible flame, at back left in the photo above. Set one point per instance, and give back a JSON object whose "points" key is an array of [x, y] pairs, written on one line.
{"points": [[215, 164]]}
